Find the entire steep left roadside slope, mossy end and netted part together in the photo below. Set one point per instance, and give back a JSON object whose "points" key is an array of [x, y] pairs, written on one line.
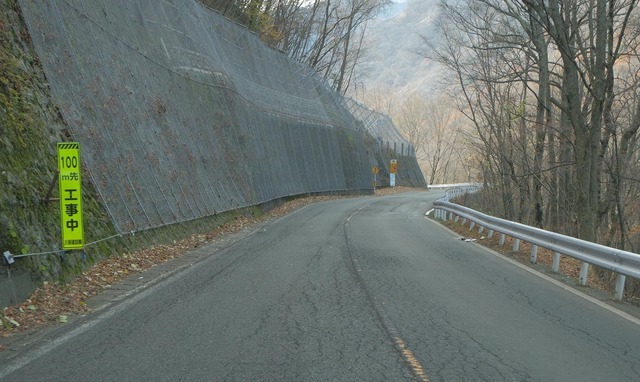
{"points": [[181, 116]]}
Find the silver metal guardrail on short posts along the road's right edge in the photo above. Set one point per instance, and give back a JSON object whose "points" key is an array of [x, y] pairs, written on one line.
{"points": [[623, 263]]}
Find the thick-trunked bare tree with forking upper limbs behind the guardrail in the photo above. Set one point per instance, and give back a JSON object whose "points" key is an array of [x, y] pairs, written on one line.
{"points": [[587, 35]]}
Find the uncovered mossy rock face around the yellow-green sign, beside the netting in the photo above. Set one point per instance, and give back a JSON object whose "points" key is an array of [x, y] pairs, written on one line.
{"points": [[30, 126]]}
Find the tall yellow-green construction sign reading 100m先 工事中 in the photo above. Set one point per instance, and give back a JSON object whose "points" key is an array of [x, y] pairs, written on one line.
{"points": [[69, 182]]}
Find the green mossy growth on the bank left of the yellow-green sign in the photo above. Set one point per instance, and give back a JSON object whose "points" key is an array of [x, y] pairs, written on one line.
{"points": [[27, 124]]}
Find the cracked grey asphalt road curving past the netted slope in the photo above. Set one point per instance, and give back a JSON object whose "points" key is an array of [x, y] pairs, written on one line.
{"points": [[362, 289]]}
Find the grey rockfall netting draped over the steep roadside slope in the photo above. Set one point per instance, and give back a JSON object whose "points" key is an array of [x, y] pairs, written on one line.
{"points": [[182, 114]]}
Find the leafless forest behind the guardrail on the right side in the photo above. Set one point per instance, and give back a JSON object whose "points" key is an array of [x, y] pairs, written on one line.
{"points": [[552, 91]]}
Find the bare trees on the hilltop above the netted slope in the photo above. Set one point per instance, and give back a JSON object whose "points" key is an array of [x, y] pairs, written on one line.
{"points": [[326, 35]]}
